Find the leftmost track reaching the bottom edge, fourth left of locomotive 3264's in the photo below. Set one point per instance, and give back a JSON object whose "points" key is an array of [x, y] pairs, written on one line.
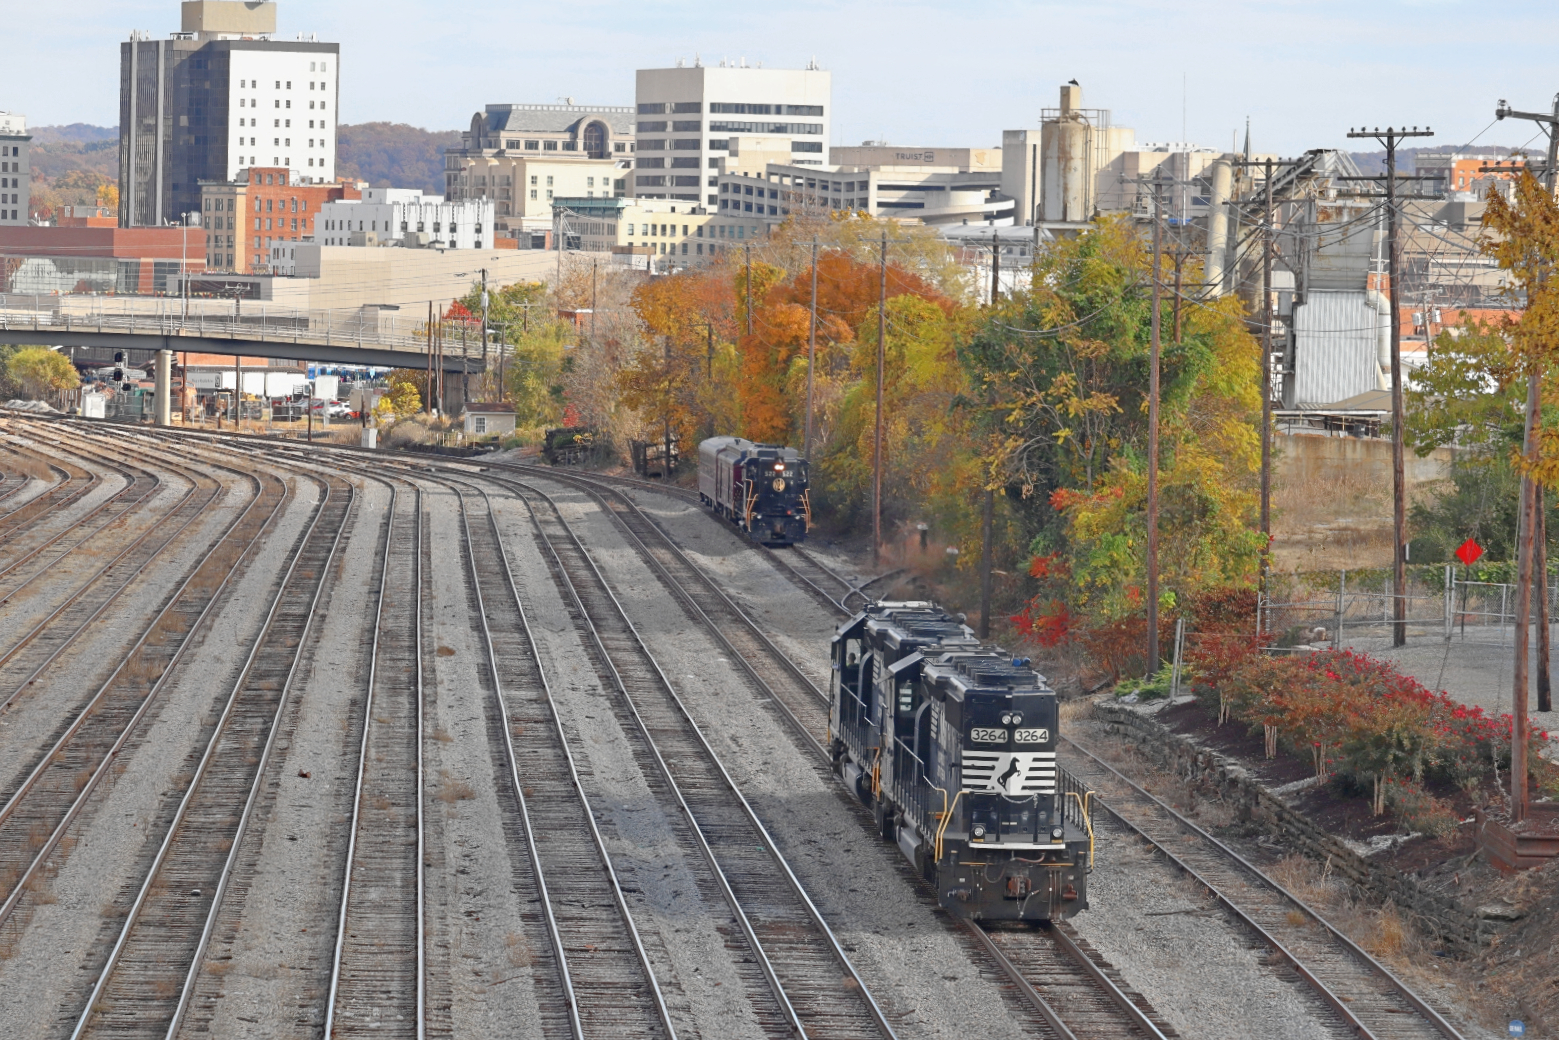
{"points": [[149, 977]]}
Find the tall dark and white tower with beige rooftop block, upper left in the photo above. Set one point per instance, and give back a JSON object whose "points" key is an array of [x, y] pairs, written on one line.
{"points": [[216, 99]]}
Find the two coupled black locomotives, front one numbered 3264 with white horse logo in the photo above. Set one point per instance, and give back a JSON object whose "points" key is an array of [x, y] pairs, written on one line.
{"points": [[952, 743]]}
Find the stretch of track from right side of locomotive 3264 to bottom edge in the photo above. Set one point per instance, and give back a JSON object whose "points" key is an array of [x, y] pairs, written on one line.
{"points": [[1362, 992]]}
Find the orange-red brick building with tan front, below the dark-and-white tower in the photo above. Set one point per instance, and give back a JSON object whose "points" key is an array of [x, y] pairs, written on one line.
{"points": [[264, 207]]}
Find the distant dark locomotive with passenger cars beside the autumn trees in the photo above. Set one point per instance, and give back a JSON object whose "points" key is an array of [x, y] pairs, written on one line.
{"points": [[762, 489]]}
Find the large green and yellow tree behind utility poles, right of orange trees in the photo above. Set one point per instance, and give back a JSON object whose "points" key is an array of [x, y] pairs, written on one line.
{"points": [[1064, 367]]}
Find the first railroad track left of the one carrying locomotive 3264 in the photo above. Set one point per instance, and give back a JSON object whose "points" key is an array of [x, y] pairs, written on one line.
{"points": [[794, 946]]}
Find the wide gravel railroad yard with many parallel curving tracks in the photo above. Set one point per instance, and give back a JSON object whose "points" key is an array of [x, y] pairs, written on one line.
{"points": [[325, 743]]}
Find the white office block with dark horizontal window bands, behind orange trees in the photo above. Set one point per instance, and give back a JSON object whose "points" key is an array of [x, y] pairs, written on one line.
{"points": [[695, 119]]}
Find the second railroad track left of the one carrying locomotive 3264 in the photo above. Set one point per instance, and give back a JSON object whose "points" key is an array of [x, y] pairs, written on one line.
{"points": [[603, 978]]}
